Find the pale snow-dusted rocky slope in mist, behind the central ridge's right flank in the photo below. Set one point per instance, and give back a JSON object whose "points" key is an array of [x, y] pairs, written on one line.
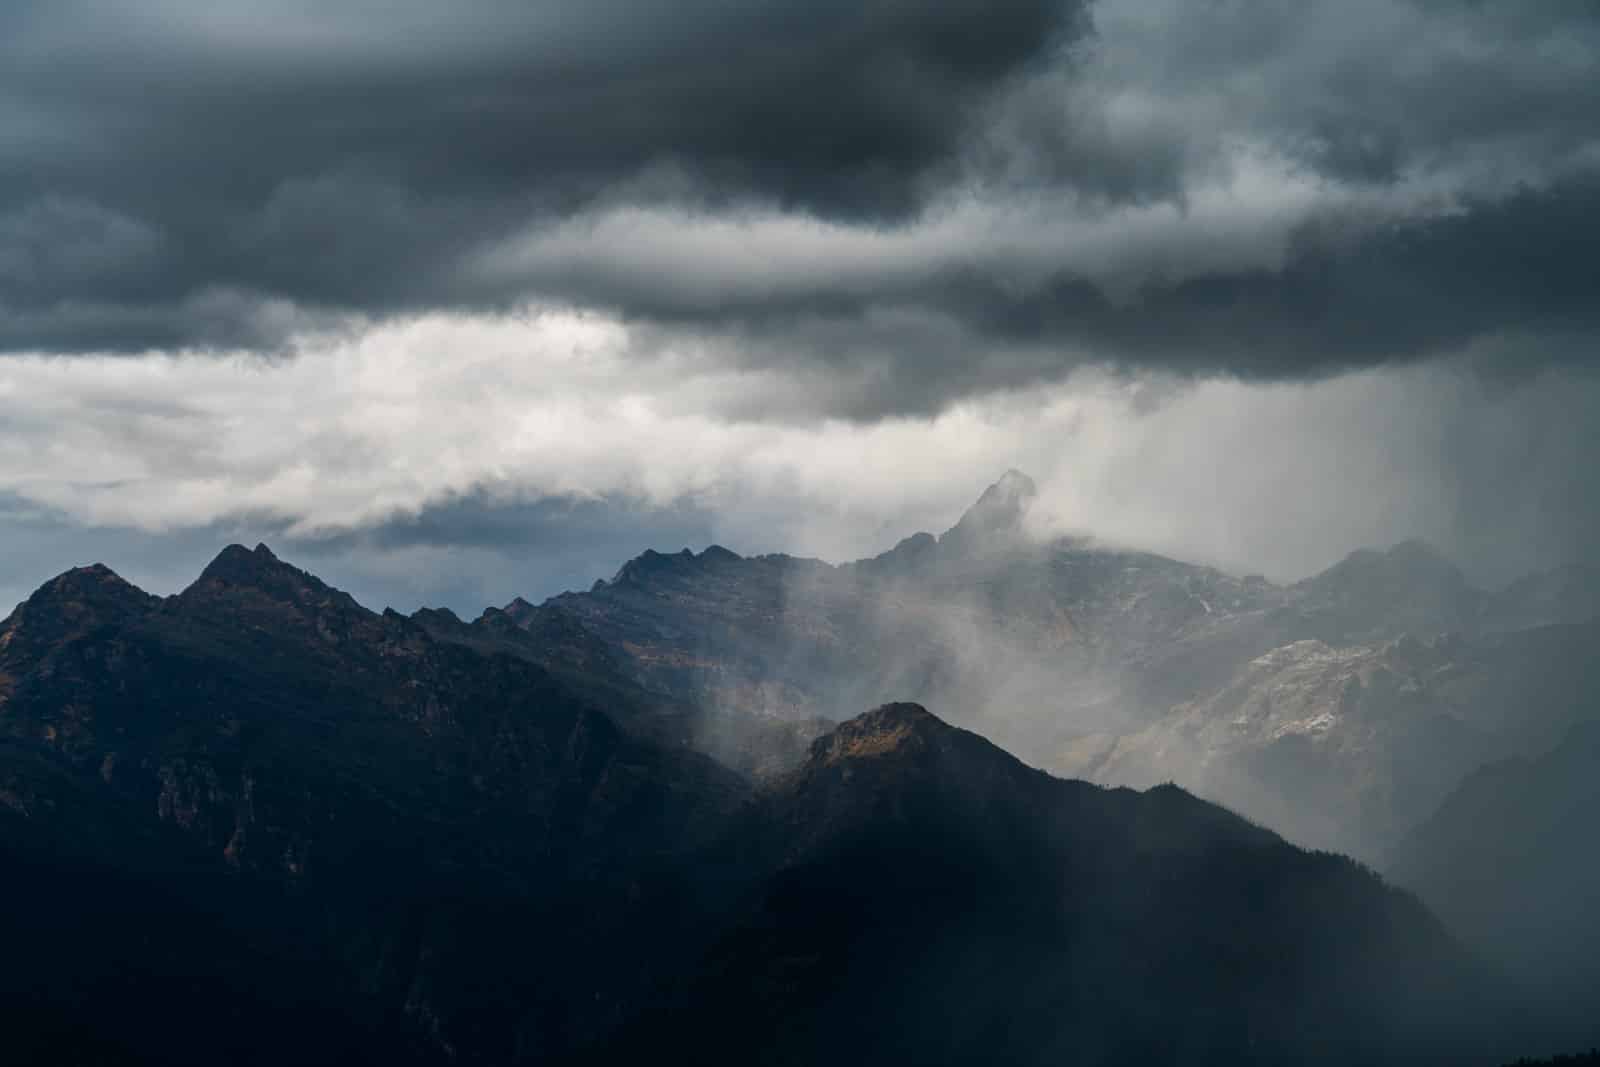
{"points": [[1348, 748]]}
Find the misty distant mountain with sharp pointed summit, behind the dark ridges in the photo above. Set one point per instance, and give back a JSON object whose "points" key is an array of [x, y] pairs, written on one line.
{"points": [[1340, 709]]}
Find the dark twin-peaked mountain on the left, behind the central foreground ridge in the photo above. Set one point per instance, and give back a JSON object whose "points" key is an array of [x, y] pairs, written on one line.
{"points": [[287, 791]]}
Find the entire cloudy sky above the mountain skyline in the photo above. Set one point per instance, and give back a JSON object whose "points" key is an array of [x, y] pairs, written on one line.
{"points": [[457, 303]]}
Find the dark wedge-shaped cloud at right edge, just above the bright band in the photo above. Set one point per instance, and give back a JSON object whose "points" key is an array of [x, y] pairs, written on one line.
{"points": [[1522, 265]]}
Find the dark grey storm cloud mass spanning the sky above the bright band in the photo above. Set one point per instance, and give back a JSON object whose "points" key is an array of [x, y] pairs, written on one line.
{"points": [[1399, 180]]}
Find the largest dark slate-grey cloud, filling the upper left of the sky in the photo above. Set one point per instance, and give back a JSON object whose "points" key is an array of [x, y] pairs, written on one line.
{"points": [[169, 156]]}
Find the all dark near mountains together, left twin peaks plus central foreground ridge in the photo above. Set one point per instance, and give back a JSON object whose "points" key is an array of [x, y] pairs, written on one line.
{"points": [[257, 823]]}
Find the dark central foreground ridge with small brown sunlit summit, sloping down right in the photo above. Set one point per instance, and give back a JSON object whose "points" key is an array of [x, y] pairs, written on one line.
{"points": [[924, 898]]}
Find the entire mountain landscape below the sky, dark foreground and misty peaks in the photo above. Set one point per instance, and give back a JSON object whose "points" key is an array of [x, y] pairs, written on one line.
{"points": [[258, 823]]}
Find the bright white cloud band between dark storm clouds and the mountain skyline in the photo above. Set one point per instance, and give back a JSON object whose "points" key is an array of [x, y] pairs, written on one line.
{"points": [[551, 447]]}
